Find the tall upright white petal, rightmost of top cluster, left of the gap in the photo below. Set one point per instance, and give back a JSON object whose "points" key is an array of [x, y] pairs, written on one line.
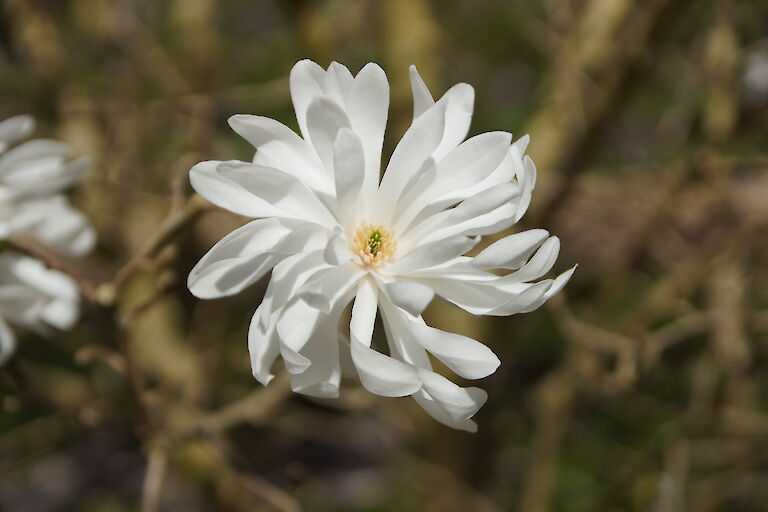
{"points": [[367, 107]]}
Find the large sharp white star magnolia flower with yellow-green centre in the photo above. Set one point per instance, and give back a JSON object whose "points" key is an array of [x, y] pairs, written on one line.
{"points": [[331, 232]]}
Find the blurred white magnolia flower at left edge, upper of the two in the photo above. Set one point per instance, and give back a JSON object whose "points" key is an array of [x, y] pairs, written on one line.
{"points": [[33, 176]]}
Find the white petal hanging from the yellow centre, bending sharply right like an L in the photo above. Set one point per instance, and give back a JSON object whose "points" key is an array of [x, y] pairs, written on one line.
{"points": [[379, 374]]}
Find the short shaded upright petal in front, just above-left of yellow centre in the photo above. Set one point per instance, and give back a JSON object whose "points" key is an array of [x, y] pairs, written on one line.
{"points": [[349, 173]]}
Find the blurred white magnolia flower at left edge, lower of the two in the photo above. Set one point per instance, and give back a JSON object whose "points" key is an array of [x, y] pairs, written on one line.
{"points": [[34, 297]]}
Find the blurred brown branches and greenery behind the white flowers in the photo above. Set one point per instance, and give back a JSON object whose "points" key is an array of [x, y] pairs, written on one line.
{"points": [[643, 387]]}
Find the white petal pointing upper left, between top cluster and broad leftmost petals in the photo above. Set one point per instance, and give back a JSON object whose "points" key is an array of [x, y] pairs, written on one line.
{"points": [[278, 146]]}
